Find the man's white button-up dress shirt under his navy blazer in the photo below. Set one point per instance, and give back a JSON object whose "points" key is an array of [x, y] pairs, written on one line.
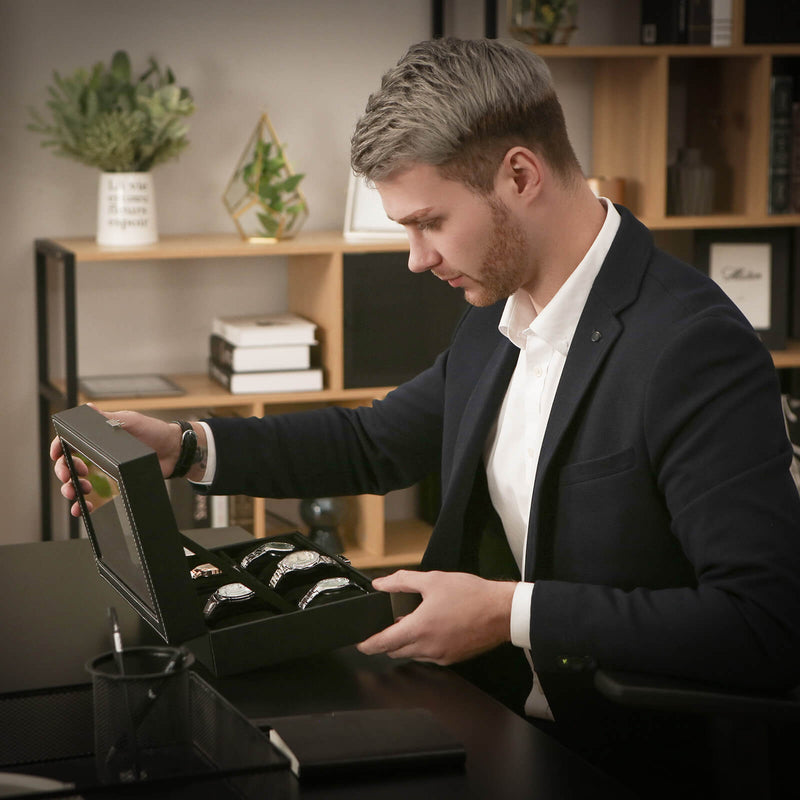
{"points": [[512, 448]]}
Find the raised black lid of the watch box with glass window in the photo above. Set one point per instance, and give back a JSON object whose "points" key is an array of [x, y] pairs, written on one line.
{"points": [[132, 528]]}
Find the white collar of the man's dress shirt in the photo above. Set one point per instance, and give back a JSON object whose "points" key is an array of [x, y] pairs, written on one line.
{"points": [[557, 321]]}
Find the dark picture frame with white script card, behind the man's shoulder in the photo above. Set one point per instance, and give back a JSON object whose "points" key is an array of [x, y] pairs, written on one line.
{"points": [[752, 267]]}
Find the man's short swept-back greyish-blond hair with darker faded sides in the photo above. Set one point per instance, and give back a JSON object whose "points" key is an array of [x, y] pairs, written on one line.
{"points": [[460, 105]]}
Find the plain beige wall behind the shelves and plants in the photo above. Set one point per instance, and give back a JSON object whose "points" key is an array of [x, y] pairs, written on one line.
{"points": [[309, 63]]}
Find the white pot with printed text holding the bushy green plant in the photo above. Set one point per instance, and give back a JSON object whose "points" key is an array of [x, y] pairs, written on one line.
{"points": [[126, 209]]}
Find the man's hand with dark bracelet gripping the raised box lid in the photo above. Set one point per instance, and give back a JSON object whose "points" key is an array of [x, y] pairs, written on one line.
{"points": [[163, 437]]}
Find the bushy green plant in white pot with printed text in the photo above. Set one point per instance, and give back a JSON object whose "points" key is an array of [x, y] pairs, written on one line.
{"points": [[124, 126]]}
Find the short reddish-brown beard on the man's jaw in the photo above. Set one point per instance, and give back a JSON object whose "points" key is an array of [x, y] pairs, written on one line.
{"points": [[504, 260]]}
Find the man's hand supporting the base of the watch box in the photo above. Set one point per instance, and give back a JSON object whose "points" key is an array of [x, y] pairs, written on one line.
{"points": [[460, 616]]}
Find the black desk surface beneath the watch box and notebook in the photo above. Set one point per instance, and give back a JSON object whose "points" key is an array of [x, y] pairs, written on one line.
{"points": [[54, 619]]}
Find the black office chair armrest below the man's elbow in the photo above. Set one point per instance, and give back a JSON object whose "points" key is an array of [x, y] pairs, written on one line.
{"points": [[755, 737]]}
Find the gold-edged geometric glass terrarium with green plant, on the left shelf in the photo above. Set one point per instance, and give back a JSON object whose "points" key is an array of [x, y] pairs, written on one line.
{"points": [[263, 196]]}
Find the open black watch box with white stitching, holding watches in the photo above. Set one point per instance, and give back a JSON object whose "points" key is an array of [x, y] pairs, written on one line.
{"points": [[142, 554]]}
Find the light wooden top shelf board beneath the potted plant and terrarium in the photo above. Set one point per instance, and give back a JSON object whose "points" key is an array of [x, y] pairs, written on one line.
{"points": [[223, 245]]}
